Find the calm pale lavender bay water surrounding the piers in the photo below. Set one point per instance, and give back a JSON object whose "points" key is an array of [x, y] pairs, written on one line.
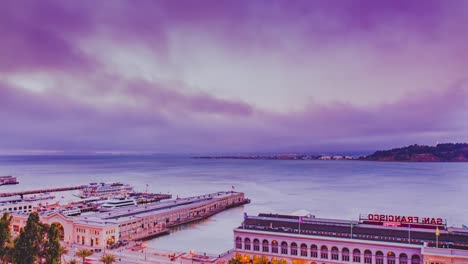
{"points": [[332, 189]]}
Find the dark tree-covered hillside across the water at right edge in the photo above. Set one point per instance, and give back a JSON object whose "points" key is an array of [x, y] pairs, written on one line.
{"points": [[447, 152]]}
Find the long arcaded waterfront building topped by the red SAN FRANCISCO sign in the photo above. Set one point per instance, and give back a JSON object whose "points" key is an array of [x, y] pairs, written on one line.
{"points": [[373, 239]]}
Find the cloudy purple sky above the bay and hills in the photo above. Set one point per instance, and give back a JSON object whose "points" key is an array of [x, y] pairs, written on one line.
{"points": [[232, 76]]}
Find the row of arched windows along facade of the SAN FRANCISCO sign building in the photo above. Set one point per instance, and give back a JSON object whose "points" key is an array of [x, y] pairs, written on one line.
{"points": [[324, 253]]}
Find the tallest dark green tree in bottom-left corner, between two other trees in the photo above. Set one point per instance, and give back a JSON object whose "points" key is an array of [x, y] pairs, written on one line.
{"points": [[28, 244]]}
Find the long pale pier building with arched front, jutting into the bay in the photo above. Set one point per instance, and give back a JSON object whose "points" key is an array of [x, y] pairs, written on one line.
{"points": [[99, 229]]}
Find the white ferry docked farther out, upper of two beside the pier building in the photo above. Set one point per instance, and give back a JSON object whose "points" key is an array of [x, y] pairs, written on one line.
{"points": [[106, 190]]}
